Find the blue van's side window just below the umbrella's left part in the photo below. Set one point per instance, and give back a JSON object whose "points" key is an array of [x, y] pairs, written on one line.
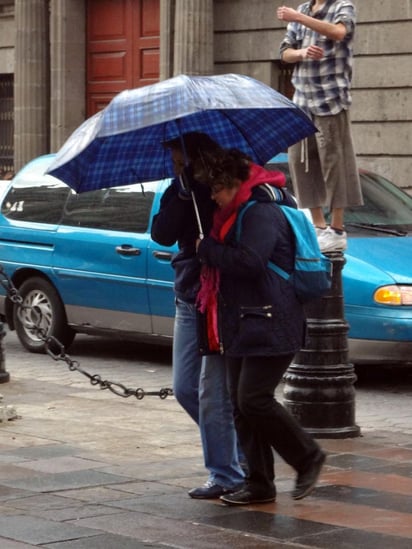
{"points": [[116, 209]]}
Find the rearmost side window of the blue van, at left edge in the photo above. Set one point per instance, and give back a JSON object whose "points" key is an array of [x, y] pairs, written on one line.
{"points": [[35, 200]]}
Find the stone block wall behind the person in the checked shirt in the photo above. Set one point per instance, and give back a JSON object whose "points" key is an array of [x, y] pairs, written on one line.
{"points": [[247, 37]]}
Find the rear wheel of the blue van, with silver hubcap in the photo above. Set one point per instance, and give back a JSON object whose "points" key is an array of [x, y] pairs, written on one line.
{"points": [[41, 314]]}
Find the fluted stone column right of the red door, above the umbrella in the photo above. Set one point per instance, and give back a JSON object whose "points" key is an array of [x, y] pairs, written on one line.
{"points": [[193, 38]]}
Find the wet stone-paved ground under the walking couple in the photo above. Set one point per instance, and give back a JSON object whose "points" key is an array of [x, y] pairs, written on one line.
{"points": [[83, 468]]}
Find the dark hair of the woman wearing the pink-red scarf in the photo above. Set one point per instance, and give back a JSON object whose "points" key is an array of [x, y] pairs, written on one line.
{"points": [[226, 166]]}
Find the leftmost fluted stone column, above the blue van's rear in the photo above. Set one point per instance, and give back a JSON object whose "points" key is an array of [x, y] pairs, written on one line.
{"points": [[31, 81]]}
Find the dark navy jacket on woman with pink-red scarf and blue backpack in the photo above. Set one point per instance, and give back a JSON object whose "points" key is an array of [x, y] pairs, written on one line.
{"points": [[259, 314]]}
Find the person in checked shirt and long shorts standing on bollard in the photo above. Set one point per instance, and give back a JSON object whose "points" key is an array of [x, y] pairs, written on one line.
{"points": [[319, 41]]}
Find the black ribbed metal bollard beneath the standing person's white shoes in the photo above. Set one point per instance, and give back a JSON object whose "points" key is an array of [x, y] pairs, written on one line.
{"points": [[319, 384]]}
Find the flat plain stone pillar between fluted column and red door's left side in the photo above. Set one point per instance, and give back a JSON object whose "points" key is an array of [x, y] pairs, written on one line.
{"points": [[67, 70]]}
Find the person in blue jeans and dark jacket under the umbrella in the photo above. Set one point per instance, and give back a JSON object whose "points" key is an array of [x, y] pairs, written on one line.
{"points": [[199, 384]]}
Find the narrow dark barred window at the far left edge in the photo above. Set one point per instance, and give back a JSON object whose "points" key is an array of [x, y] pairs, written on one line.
{"points": [[6, 126]]}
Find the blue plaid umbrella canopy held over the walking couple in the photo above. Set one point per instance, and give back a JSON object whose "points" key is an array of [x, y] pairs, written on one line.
{"points": [[122, 144]]}
